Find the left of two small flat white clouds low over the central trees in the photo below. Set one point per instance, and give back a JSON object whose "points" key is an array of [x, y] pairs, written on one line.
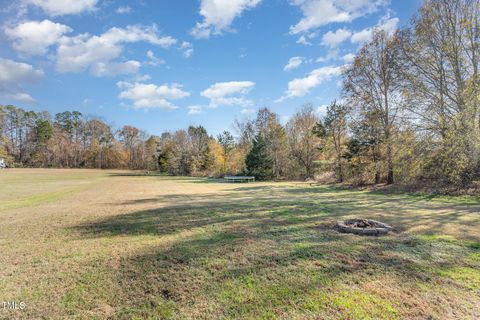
{"points": [[150, 95]]}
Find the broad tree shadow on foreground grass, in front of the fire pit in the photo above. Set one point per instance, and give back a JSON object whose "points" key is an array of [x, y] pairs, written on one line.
{"points": [[236, 274]]}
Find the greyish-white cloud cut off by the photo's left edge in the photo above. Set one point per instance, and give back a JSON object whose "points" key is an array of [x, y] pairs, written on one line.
{"points": [[15, 74]]}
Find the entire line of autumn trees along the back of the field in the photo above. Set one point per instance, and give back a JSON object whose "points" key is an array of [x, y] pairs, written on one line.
{"points": [[409, 112]]}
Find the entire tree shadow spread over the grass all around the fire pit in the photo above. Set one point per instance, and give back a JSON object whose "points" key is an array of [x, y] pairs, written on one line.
{"points": [[277, 248]]}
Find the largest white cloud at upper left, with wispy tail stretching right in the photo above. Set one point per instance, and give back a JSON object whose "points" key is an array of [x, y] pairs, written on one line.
{"points": [[82, 52]]}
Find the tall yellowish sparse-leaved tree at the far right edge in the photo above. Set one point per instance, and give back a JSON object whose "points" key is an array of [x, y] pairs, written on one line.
{"points": [[440, 63]]}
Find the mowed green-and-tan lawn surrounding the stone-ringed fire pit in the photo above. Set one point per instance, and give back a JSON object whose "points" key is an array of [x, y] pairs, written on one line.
{"points": [[90, 244]]}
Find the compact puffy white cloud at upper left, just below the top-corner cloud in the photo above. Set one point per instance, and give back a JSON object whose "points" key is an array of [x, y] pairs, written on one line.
{"points": [[34, 37]]}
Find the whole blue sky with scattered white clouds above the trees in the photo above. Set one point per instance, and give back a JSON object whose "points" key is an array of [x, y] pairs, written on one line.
{"points": [[164, 65]]}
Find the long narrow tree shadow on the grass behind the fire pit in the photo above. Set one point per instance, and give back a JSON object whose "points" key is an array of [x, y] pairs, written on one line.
{"points": [[271, 207]]}
